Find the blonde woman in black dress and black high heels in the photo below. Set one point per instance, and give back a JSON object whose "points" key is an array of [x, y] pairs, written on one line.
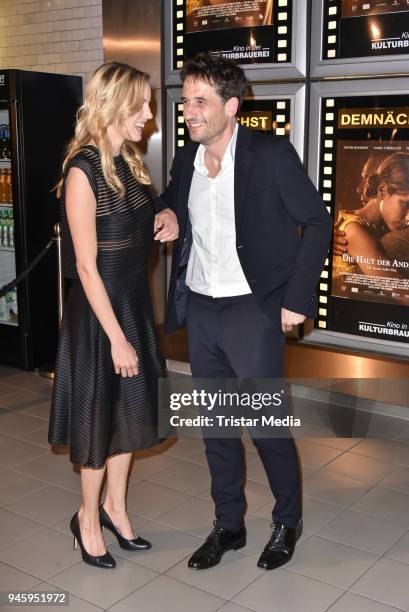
{"points": [[108, 362]]}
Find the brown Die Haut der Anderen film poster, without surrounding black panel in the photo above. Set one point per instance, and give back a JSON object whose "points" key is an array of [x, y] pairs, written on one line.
{"points": [[376, 268]]}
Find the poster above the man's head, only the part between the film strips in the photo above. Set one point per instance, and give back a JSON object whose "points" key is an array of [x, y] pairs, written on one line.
{"points": [[237, 29]]}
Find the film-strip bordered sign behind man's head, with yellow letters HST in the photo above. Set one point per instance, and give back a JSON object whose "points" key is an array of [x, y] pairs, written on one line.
{"points": [[276, 120]]}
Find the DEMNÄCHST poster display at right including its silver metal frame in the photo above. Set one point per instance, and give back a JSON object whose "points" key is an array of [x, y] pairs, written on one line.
{"points": [[359, 160]]}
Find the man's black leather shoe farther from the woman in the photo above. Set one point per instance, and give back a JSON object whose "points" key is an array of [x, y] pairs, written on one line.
{"points": [[280, 547]]}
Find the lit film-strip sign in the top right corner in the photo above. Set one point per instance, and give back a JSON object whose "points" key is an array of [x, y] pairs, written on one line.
{"points": [[370, 28]]}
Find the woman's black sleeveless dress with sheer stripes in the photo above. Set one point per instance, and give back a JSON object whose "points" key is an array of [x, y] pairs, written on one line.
{"points": [[98, 412]]}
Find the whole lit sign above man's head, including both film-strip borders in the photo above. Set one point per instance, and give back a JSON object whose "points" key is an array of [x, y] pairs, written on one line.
{"points": [[247, 31]]}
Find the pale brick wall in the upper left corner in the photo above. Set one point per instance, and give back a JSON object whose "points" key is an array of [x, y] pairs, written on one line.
{"points": [[63, 36]]}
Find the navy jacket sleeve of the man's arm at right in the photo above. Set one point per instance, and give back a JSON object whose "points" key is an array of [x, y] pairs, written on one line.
{"points": [[306, 207]]}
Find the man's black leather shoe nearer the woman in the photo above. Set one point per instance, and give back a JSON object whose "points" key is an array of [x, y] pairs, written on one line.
{"points": [[218, 542]]}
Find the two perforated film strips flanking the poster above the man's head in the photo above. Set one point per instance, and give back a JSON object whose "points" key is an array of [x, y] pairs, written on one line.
{"points": [[282, 20]]}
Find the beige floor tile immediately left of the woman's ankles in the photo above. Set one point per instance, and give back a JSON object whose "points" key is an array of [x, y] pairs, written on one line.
{"points": [[46, 506]]}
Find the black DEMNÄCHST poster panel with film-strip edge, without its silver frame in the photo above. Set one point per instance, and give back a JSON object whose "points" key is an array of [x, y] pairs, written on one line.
{"points": [[367, 183]]}
